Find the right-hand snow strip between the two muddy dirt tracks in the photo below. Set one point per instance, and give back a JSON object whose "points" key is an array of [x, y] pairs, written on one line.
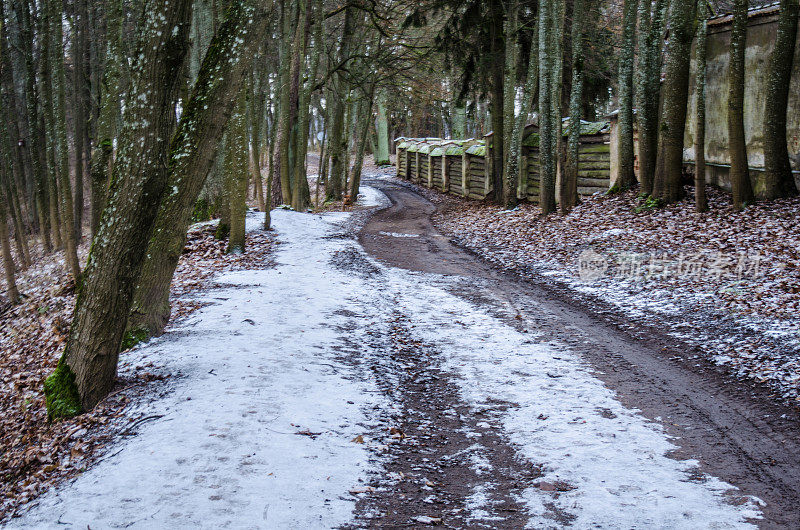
{"points": [[569, 421]]}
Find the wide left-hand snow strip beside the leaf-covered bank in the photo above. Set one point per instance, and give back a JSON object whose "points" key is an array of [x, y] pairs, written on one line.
{"points": [[256, 370]]}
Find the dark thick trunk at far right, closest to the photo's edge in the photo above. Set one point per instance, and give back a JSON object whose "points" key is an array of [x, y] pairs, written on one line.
{"points": [[777, 168]]}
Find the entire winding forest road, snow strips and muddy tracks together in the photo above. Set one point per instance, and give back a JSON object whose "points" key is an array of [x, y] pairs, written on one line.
{"points": [[369, 373]]}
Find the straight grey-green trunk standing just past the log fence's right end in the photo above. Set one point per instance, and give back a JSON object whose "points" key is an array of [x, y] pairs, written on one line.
{"points": [[625, 150]]}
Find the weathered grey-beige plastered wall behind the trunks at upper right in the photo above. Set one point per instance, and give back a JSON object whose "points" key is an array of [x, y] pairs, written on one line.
{"points": [[760, 42]]}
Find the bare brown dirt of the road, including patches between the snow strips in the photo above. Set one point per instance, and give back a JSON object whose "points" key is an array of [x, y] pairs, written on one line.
{"points": [[734, 430]]}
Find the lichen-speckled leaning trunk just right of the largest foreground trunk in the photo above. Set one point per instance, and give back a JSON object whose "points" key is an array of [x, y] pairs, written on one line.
{"points": [[192, 155]]}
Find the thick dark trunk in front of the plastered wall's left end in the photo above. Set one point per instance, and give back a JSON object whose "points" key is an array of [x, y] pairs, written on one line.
{"points": [[667, 186]]}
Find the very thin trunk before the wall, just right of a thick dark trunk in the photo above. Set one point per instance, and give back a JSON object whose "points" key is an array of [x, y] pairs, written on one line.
{"points": [[700, 200]]}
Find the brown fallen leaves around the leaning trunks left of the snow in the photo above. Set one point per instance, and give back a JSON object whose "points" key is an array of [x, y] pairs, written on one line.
{"points": [[36, 454]]}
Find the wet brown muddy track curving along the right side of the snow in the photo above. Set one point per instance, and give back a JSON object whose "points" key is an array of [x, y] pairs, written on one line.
{"points": [[736, 430]]}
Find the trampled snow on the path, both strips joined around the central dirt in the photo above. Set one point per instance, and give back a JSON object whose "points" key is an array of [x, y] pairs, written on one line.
{"points": [[261, 428]]}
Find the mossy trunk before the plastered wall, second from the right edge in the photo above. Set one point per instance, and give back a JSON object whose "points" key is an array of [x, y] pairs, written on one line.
{"points": [[737, 144]]}
